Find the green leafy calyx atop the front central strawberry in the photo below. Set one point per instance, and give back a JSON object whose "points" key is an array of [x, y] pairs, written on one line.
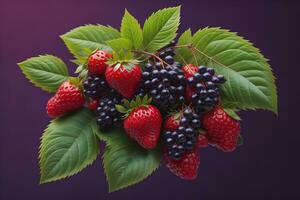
{"points": [[128, 106]]}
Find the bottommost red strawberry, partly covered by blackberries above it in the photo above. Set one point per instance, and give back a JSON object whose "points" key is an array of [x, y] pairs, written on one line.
{"points": [[187, 167]]}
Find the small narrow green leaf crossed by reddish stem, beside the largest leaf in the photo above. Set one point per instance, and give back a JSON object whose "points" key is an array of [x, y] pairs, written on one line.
{"points": [[184, 54]]}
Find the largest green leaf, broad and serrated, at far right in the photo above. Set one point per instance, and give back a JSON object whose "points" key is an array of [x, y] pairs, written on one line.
{"points": [[250, 81]]}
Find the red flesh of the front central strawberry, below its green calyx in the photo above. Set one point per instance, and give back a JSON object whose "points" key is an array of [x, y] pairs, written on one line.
{"points": [[144, 125]]}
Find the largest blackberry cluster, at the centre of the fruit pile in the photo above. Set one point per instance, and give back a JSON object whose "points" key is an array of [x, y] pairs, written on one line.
{"points": [[165, 85]]}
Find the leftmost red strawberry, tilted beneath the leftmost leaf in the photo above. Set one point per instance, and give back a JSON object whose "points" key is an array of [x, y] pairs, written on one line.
{"points": [[67, 98]]}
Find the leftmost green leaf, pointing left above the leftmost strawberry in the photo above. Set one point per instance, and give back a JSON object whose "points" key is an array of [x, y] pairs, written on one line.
{"points": [[46, 72]]}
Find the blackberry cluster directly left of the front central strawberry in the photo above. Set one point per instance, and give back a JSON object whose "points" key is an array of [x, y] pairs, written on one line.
{"points": [[106, 113]]}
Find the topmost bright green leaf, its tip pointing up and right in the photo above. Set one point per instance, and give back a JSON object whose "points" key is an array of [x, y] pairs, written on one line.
{"points": [[160, 28]]}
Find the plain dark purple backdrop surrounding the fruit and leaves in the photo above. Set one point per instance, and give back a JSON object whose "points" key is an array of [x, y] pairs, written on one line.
{"points": [[266, 167]]}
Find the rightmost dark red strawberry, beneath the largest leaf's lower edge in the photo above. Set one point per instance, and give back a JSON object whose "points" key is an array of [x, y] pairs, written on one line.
{"points": [[222, 130]]}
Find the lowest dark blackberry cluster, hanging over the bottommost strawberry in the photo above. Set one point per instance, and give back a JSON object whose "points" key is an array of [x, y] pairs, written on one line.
{"points": [[185, 137]]}
